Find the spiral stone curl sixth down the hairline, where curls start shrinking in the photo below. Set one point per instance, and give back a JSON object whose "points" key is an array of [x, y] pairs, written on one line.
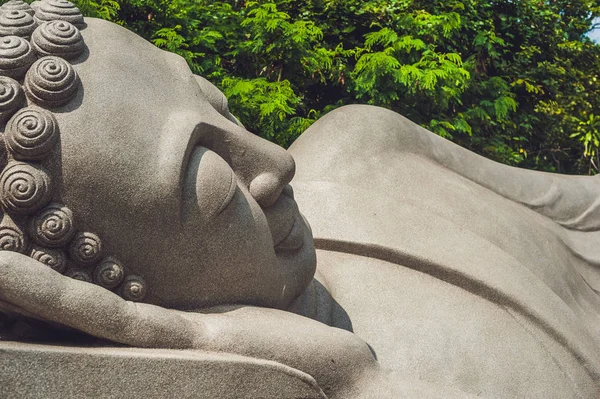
{"points": [[53, 226]]}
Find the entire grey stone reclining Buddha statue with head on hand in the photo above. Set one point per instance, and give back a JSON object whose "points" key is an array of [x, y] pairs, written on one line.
{"points": [[152, 247]]}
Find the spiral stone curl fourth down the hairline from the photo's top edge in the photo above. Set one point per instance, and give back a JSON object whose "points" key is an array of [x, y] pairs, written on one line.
{"points": [[31, 134]]}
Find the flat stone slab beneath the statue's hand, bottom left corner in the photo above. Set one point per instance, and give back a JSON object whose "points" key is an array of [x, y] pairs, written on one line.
{"points": [[99, 372]]}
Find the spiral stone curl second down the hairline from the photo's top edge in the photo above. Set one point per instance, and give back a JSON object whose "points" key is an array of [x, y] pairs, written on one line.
{"points": [[59, 38]]}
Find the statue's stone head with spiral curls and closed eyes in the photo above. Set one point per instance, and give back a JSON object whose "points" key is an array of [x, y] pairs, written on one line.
{"points": [[125, 169]]}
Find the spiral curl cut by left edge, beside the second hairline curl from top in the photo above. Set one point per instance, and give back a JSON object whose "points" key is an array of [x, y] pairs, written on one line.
{"points": [[16, 57]]}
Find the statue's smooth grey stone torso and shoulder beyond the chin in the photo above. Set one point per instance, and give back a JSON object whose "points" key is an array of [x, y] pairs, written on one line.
{"points": [[475, 275]]}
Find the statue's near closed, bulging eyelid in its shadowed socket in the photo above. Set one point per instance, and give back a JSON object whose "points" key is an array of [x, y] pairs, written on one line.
{"points": [[208, 186]]}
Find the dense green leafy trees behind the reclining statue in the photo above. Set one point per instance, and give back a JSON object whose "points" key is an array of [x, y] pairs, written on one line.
{"points": [[514, 80]]}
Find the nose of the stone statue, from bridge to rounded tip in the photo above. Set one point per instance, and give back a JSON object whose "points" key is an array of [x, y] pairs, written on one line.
{"points": [[264, 167]]}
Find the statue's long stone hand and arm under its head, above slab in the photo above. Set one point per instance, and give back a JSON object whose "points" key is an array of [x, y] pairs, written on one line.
{"points": [[334, 357]]}
